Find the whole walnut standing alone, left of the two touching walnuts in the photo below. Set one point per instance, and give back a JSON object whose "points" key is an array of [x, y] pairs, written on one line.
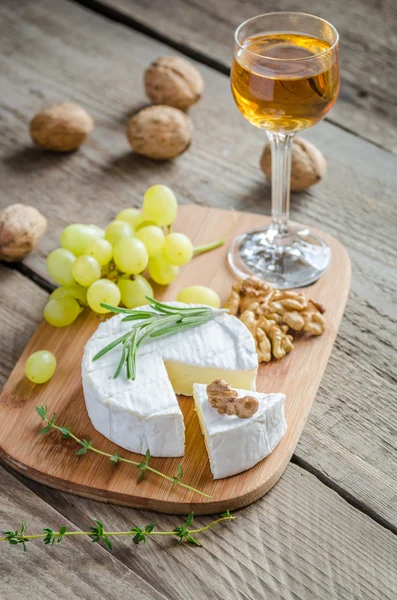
{"points": [[61, 127]]}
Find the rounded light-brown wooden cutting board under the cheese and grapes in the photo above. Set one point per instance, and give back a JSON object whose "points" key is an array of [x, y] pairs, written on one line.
{"points": [[52, 461]]}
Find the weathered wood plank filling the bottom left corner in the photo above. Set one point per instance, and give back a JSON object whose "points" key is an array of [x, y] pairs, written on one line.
{"points": [[77, 568]]}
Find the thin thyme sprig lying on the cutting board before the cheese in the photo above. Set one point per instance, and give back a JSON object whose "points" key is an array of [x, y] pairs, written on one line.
{"points": [[86, 445]]}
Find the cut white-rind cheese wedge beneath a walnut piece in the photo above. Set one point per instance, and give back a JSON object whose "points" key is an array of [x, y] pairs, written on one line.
{"points": [[233, 444]]}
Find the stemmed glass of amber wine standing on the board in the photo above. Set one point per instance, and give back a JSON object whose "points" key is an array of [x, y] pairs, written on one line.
{"points": [[284, 78]]}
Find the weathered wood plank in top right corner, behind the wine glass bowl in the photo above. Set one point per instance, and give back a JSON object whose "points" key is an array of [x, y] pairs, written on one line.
{"points": [[367, 103]]}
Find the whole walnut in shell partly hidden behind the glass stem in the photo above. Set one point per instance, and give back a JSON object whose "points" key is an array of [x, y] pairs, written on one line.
{"points": [[308, 165]]}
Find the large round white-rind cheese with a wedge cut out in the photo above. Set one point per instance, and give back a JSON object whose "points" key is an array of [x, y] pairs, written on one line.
{"points": [[144, 414]]}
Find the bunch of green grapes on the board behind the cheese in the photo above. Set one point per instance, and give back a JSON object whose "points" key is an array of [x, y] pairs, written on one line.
{"points": [[95, 266]]}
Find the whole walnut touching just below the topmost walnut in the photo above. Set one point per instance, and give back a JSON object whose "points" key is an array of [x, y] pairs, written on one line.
{"points": [[160, 132]]}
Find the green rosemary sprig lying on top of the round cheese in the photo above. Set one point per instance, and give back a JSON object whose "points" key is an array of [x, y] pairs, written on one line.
{"points": [[162, 320]]}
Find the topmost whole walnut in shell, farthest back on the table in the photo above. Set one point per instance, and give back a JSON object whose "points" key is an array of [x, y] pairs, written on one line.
{"points": [[173, 81]]}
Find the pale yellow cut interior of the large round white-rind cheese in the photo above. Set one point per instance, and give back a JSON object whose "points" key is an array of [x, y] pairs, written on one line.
{"points": [[183, 376]]}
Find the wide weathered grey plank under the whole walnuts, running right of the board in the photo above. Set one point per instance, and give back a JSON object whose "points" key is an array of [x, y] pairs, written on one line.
{"points": [[71, 53]]}
